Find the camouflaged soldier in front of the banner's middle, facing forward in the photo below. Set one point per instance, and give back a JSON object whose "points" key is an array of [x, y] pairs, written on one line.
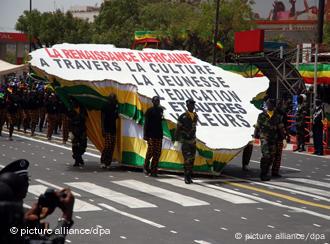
{"points": [[186, 134]]}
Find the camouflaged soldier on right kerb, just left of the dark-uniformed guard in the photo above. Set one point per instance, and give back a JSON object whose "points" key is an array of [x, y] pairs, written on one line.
{"points": [[300, 124]]}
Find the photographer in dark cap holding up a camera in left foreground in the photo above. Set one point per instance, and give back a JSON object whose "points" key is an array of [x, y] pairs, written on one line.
{"points": [[26, 226]]}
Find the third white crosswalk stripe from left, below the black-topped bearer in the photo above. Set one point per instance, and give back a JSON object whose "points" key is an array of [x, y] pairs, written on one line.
{"points": [[161, 193]]}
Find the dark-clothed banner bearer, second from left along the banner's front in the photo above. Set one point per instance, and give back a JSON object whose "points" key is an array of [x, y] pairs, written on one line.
{"points": [[109, 115]]}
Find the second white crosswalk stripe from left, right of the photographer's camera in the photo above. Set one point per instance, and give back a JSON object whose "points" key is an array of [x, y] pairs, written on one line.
{"points": [[111, 195]]}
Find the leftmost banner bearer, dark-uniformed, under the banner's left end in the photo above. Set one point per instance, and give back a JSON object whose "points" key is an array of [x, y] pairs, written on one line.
{"points": [[78, 128]]}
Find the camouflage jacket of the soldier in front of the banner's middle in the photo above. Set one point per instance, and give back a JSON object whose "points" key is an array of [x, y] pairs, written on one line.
{"points": [[186, 128]]}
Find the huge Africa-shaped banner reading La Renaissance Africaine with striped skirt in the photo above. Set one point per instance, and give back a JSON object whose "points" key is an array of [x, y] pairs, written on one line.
{"points": [[90, 72]]}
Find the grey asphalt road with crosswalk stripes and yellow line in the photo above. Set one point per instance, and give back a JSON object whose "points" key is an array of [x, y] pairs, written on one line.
{"points": [[124, 206]]}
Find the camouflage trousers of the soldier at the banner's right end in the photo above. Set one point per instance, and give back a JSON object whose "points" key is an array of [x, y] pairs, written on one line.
{"points": [[268, 150]]}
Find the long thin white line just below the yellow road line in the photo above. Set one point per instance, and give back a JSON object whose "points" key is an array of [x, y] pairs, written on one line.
{"points": [[259, 199]]}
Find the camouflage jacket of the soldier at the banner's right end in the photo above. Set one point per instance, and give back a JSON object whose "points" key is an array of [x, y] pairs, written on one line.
{"points": [[269, 128]]}
